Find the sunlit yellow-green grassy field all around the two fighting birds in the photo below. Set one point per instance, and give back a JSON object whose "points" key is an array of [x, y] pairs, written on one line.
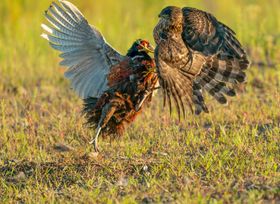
{"points": [[229, 155]]}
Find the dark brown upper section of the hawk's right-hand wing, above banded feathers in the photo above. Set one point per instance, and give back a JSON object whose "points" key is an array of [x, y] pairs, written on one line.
{"points": [[202, 32]]}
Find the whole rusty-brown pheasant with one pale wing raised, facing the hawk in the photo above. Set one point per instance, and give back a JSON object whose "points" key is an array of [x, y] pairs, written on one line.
{"points": [[114, 87]]}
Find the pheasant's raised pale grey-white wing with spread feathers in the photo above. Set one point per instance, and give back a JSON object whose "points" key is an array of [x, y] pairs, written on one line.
{"points": [[84, 50]]}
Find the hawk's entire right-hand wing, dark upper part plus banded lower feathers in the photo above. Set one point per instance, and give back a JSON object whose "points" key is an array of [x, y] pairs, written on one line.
{"points": [[226, 59]]}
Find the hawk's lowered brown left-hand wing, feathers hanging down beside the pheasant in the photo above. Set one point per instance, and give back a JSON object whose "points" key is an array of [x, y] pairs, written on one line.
{"points": [[177, 82]]}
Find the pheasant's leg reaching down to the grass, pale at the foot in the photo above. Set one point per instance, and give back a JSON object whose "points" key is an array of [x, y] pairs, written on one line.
{"points": [[107, 112]]}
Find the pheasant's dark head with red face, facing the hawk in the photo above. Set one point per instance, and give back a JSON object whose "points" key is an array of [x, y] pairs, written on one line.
{"points": [[140, 47]]}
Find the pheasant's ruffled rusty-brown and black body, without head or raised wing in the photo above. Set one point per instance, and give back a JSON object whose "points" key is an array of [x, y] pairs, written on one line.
{"points": [[130, 81]]}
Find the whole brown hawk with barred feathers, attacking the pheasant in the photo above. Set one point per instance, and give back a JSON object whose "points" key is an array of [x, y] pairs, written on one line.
{"points": [[195, 51]]}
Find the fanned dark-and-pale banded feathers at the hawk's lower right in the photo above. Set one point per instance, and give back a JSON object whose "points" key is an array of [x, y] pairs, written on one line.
{"points": [[217, 77]]}
